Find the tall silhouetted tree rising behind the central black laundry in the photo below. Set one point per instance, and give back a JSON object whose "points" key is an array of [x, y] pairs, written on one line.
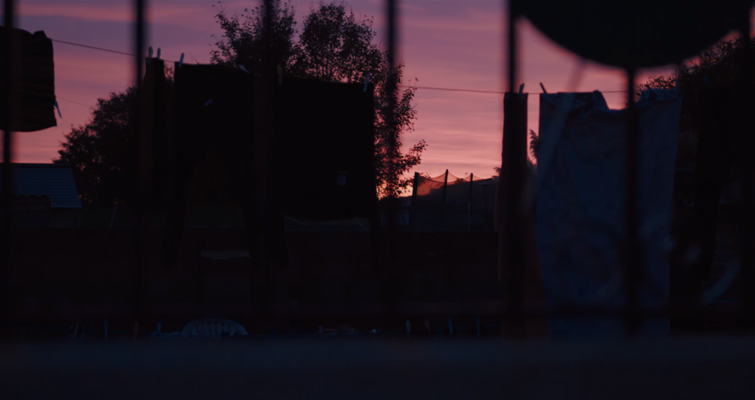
{"points": [[333, 46]]}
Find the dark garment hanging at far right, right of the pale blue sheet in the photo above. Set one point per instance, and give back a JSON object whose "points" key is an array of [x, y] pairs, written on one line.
{"points": [[725, 139]]}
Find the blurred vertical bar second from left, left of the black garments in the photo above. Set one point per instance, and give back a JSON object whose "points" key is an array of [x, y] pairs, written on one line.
{"points": [[138, 233]]}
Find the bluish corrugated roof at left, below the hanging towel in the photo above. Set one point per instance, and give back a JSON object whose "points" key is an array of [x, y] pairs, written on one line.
{"points": [[52, 180]]}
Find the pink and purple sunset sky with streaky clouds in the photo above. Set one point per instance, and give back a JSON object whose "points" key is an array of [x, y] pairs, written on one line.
{"points": [[447, 44]]}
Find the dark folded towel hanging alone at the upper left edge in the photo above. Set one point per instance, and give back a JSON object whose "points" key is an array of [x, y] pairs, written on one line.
{"points": [[35, 105]]}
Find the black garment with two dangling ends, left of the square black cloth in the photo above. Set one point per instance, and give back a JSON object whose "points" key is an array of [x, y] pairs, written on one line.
{"points": [[212, 110]]}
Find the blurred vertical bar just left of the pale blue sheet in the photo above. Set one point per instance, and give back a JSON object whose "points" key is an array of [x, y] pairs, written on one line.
{"points": [[513, 280]]}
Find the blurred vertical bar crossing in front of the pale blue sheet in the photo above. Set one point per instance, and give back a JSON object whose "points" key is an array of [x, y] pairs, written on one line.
{"points": [[633, 248]]}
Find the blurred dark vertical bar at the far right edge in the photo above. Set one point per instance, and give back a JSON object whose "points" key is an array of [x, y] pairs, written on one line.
{"points": [[747, 234]]}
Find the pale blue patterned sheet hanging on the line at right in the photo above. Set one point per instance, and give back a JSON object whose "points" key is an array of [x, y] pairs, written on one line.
{"points": [[581, 206]]}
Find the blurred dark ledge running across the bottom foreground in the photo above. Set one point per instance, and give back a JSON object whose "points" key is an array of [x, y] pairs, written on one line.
{"points": [[379, 368]]}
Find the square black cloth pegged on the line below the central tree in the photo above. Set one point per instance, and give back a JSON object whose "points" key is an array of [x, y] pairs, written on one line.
{"points": [[325, 146]]}
